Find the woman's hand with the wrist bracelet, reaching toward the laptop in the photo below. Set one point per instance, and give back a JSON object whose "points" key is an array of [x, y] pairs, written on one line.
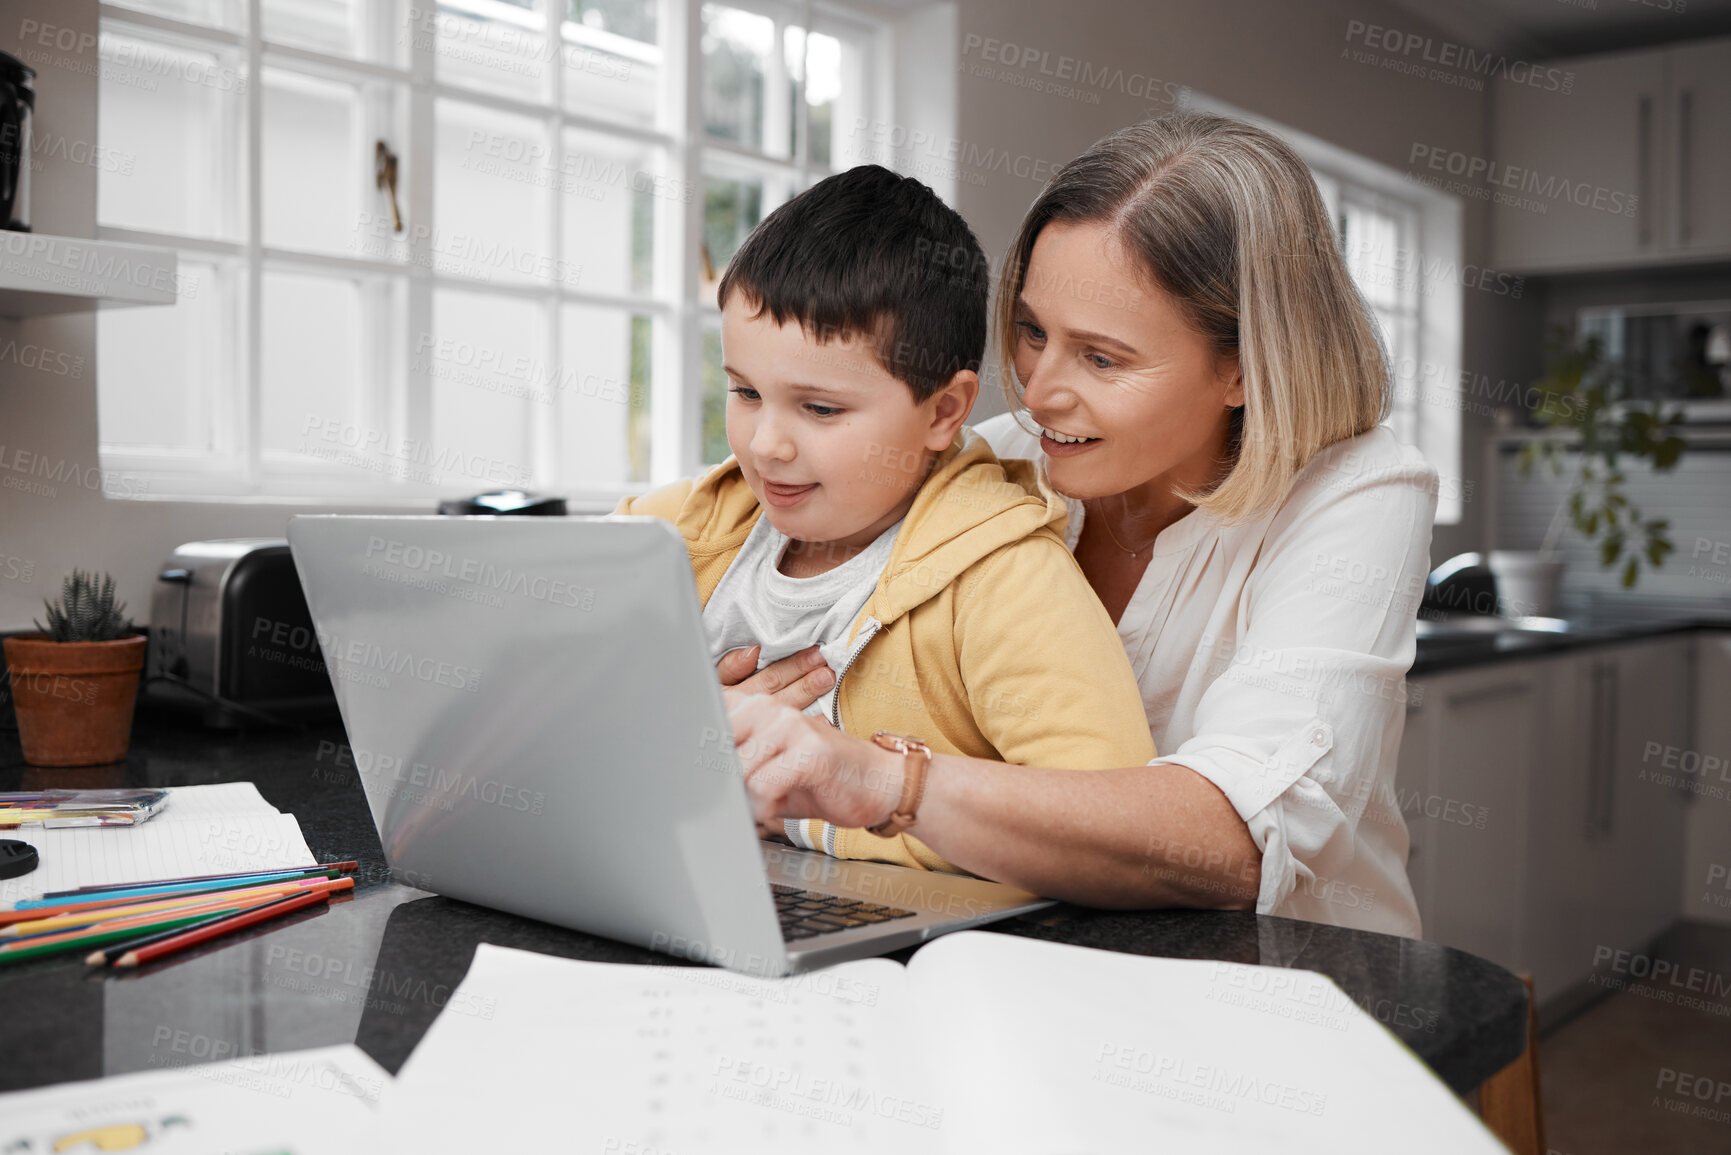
{"points": [[799, 766]]}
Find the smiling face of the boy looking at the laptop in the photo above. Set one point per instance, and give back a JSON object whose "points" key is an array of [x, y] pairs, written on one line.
{"points": [[832, 446]]}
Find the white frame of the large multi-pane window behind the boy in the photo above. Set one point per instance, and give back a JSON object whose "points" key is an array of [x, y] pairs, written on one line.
{"points": [[396, 394]]}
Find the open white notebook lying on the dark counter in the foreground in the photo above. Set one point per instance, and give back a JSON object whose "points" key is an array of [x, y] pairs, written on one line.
{"points": [[982, 1043]]}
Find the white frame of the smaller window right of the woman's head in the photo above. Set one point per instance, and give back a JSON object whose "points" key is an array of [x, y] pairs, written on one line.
{"points": [[1427, 380]]}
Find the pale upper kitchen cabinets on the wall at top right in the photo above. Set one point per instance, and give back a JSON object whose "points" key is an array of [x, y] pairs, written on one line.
{"points": [[1626, 169]]}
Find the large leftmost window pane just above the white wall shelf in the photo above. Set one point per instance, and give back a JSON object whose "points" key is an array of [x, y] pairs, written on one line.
{"points": [[174, 115]]}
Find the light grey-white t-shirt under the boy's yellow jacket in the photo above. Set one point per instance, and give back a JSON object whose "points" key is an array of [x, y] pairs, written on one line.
{"points": [[756, 603]]}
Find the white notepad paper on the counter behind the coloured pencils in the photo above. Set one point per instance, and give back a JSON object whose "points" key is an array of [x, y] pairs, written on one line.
{"points": [[203, 830]]}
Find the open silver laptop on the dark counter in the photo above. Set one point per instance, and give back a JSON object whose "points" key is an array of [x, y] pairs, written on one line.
{"points": [[537, 726]]}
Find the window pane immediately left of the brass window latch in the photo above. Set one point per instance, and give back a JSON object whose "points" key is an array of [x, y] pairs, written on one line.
{"points": [[311, 162]]}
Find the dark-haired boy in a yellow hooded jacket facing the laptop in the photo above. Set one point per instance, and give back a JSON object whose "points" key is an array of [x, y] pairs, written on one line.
{"points": [[859, 515]]}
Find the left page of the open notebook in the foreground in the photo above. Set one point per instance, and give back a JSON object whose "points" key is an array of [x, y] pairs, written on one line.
{"points": [[562, 1055]]}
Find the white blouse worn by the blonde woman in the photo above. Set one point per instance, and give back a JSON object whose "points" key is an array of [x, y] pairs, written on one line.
{"points": [[1273, 662]]}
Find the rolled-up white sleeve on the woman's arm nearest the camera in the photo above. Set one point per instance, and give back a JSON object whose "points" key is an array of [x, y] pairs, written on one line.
{"points": [[1304, 688]]}
